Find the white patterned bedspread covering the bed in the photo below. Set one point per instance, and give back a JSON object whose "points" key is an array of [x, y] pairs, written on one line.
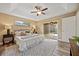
{"points": [[25, 42]]}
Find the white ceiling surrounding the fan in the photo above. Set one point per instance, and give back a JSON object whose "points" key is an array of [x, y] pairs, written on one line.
{"points": [[24, 9]]}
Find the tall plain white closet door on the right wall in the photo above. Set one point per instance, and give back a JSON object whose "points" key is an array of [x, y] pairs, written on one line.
{"points": [[68, 28]]}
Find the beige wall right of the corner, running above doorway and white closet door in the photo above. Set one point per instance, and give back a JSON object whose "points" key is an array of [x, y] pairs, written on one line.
{"points": [[40, 24]]}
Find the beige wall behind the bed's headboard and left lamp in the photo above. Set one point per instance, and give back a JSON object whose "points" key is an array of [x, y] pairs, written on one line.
{"points": [[9, 20]]}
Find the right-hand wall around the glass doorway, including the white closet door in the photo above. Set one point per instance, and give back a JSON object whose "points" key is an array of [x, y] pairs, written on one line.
{"points": [[66, 25]]}
